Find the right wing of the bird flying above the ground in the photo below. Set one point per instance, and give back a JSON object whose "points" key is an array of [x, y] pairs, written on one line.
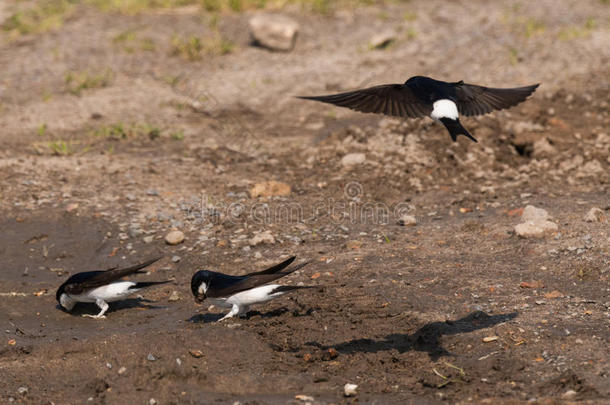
{"points": [[476, 100]]}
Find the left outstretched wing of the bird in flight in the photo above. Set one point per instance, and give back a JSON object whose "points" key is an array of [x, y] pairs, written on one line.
{"points": [[389, 99]]}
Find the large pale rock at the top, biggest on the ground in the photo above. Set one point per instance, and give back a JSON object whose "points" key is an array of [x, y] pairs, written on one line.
{"points": [[275, 32]]}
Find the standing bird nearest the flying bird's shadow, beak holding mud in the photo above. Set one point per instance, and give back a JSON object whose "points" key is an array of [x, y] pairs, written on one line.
{"points": [[239, 292]]}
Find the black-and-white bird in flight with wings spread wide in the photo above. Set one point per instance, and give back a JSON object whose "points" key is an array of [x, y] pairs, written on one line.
{"points": [[422, 96]]}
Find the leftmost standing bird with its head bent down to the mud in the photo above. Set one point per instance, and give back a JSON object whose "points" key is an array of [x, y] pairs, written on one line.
{"points": [[102, 287]]}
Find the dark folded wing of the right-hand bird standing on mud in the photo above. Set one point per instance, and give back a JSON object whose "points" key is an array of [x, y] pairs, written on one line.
{"points": [[225, 285]]}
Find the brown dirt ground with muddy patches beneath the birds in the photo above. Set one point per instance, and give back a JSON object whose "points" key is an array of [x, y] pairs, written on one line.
{"points": [[113, 134]]}
